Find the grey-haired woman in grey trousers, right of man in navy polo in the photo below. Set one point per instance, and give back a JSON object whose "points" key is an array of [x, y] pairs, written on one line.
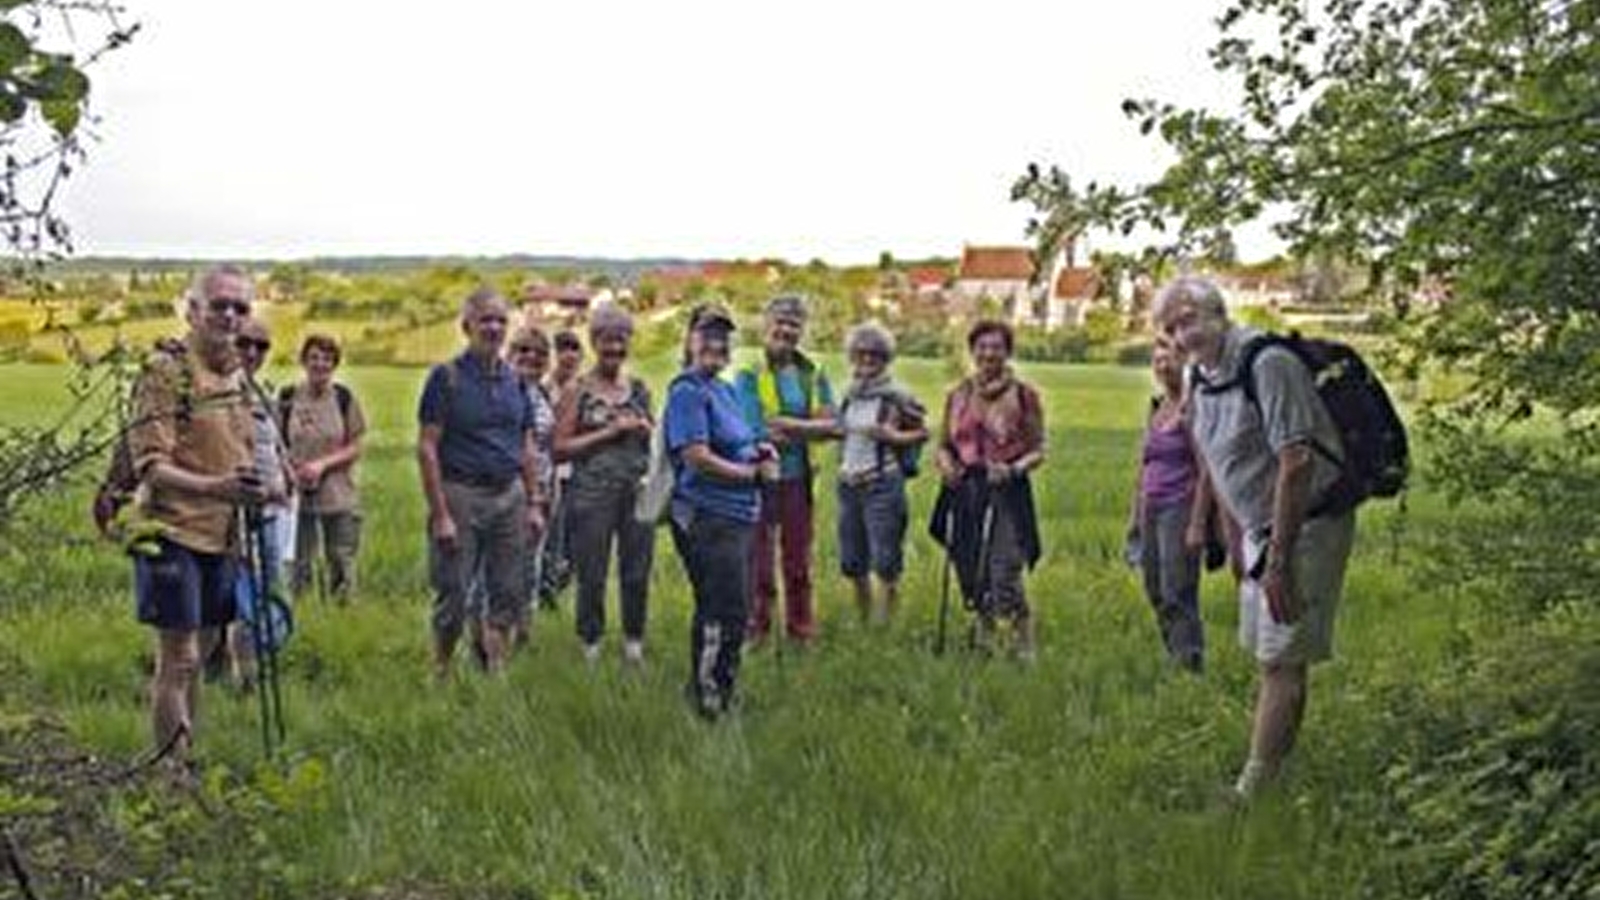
{"points": [[604, 428]]}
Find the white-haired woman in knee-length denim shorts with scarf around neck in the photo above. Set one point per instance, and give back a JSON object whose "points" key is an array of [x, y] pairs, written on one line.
{"points": [[882, 427]]}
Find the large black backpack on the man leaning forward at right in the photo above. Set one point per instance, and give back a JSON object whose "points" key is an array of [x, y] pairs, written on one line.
{"points": [[1377, 452]]}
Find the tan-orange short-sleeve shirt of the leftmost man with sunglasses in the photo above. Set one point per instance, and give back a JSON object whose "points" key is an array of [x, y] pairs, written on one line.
{"points": [[201, 422]]}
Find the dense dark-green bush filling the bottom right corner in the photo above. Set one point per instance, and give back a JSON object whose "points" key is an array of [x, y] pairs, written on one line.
{"points": [[1500, 787]]}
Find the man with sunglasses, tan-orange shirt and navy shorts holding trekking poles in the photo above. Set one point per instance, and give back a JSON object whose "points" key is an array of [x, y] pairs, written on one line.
{"points": [[193, 446]]}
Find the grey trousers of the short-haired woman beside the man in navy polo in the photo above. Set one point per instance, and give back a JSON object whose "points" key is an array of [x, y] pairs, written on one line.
{"points": [[601, 516]]}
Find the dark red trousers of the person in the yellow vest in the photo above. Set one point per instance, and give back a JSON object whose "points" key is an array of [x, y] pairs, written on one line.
{"points": [[786, 526]]}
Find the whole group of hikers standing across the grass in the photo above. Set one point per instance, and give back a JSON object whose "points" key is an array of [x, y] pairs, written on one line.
{"points": [[534, 472]]}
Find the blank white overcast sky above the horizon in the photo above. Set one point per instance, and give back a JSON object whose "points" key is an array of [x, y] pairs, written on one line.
{"points": [[615, 127]]}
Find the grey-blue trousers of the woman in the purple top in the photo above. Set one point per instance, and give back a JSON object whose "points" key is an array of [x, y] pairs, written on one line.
{"points": [[1172, 582]]}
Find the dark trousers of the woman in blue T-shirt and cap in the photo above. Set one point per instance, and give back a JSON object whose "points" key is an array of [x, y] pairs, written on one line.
{"points": [[716, 553]]}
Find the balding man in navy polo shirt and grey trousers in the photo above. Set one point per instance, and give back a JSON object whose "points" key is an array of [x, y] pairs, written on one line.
{"points": [[479, 462]]}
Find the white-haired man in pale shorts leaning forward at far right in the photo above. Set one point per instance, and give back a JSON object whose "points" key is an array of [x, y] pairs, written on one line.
{"points": [[1271, 460]]}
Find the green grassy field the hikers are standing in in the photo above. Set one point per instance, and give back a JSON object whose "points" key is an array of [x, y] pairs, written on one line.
{"points": [[865, 768]]}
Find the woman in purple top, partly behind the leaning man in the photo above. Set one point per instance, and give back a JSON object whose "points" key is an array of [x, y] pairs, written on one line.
{"points": [[1170, 497]]}
